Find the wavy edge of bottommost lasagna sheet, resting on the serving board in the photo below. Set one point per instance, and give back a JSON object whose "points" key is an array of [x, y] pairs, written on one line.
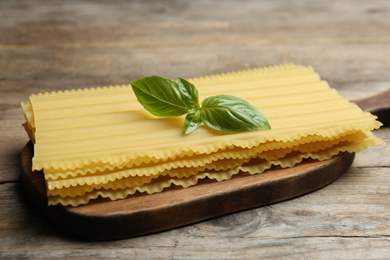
{"points": [[255, 166]]}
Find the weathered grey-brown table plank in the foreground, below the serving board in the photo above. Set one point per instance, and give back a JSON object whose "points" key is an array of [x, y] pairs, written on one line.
{"points": [[348, 217]]}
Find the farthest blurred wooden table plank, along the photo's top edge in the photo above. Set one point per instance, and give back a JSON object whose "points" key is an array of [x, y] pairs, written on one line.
{"points": [[167, 24]]}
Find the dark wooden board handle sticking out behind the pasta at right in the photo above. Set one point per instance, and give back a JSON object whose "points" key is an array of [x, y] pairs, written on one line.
{"points": [[378, 105]]}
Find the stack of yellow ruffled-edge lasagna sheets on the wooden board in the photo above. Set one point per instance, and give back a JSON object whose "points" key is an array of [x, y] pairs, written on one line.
{"points": [[102, 142]]}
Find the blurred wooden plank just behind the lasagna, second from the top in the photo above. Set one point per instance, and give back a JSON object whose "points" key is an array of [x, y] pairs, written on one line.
{"points": [[195, 60]]}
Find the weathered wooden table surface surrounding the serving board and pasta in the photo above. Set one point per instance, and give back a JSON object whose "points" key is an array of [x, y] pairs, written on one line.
{"points": [[56, 45]]}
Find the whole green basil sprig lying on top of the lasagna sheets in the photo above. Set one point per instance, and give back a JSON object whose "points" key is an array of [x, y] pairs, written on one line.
{"points": [[163, 97]]}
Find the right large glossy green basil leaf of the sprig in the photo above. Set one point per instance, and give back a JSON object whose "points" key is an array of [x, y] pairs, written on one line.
{"points": [[231, 114]]}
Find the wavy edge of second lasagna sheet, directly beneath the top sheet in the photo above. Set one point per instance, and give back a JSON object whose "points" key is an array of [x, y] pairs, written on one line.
{"points": [[269, 151]]}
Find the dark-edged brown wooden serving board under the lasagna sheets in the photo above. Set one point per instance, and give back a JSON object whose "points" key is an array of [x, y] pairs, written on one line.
{"points": [[141, 214]]}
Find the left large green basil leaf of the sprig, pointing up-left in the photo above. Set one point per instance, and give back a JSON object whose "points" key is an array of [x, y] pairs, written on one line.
{"points": [[160, 96]]}
